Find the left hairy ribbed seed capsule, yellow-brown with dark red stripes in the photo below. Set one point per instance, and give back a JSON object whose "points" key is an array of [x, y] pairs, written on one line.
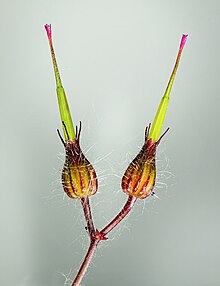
{"points": [[78, 176]]}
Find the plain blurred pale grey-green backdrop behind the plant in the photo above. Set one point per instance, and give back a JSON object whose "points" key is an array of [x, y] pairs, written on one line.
{"points": [[115, 59]]}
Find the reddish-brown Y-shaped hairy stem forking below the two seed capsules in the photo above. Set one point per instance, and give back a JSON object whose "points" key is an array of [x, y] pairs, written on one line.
{"points": [[96, 236]]}
